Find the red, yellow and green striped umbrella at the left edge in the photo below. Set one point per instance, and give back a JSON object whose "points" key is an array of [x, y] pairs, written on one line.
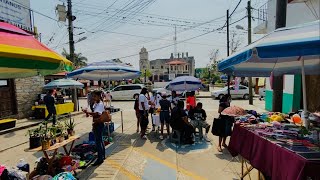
{"points": [[21, 52]]}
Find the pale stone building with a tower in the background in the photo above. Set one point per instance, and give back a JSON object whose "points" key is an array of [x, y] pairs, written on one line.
{"points": [[168, 68]]}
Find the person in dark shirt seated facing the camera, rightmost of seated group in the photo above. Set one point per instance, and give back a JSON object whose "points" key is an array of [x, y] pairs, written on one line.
{"points": [[198, 119]]}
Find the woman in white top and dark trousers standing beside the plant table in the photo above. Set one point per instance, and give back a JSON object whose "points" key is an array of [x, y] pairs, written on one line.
{"points": [[97, 125]]}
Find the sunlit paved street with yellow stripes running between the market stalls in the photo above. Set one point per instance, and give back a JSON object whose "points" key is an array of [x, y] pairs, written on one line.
{"points": [[129, 157]]}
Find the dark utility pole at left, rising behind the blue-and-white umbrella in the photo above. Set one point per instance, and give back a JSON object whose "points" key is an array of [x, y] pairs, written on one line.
{"points": [[71, 46]]}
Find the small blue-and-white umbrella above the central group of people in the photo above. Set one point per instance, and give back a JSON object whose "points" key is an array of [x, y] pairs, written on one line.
{"points": [[185, 83]]}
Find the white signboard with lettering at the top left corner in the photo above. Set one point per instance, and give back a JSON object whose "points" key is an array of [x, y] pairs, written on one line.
{"points": [[16, 12]]}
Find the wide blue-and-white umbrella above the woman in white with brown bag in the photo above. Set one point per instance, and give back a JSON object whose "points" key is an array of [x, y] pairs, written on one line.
{"points": [[105, 70]]}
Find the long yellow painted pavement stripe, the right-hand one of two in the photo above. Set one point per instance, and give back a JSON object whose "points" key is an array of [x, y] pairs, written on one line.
{"points": [[171, 165]]}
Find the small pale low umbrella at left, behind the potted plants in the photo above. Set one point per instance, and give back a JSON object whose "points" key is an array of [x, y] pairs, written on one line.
{"points": [[63, 83]]}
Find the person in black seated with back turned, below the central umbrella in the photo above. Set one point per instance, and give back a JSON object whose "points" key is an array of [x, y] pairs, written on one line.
{"points": [[179, 121]]}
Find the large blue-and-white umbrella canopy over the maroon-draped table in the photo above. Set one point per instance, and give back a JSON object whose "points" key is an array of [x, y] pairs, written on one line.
{"points": [[279, 52]]}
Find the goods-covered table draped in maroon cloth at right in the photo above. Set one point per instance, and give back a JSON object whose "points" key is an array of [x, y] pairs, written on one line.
{"points": [[274, 152]]}
